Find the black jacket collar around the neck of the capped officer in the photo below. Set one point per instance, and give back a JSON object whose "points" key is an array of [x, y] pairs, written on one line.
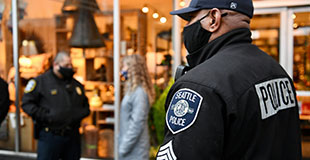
{"points": [[241, 35]]}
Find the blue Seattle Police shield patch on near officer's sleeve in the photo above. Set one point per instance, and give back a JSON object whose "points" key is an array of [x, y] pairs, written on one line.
{"points": [[183, 110]]}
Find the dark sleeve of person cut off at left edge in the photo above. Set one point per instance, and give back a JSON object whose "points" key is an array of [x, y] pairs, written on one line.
{"points": [[4, 100]]}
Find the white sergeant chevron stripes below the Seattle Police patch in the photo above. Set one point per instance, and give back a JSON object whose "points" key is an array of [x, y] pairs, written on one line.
{"points": [[166, 152]]}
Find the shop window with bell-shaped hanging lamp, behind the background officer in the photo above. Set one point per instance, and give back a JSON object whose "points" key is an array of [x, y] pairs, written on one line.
{"points": [[83, 28]]}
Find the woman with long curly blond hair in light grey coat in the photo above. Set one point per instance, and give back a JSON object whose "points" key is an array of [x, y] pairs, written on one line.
{"points": [[139, 95]]}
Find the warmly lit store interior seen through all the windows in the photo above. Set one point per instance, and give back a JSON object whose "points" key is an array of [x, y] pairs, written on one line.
{"points": [[49, 26]]}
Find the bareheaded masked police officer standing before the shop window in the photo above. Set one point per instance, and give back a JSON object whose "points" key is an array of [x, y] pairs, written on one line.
{"points": [[57, 104]]}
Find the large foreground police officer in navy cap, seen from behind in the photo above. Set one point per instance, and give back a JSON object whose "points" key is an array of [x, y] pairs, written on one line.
{"points": [[236, 102]]}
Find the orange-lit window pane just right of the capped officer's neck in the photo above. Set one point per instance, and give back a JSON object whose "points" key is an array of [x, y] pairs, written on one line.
{"points": [[265, 33]]}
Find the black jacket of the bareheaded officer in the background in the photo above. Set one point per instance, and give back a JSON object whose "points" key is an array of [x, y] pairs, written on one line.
{"points": [[55, 103]]}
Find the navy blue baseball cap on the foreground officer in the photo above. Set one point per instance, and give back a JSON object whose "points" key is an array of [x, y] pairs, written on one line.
{"points": [[241, 6]]}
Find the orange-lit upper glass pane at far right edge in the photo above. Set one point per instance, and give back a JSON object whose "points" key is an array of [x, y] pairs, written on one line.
{"points": [[302, 51]]}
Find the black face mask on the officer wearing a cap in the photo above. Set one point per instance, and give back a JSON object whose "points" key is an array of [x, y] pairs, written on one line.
{"points": [[195, 36]]}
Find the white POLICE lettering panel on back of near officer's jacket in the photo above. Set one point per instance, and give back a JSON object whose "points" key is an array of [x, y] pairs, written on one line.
{"points": [[275, 95]]}
